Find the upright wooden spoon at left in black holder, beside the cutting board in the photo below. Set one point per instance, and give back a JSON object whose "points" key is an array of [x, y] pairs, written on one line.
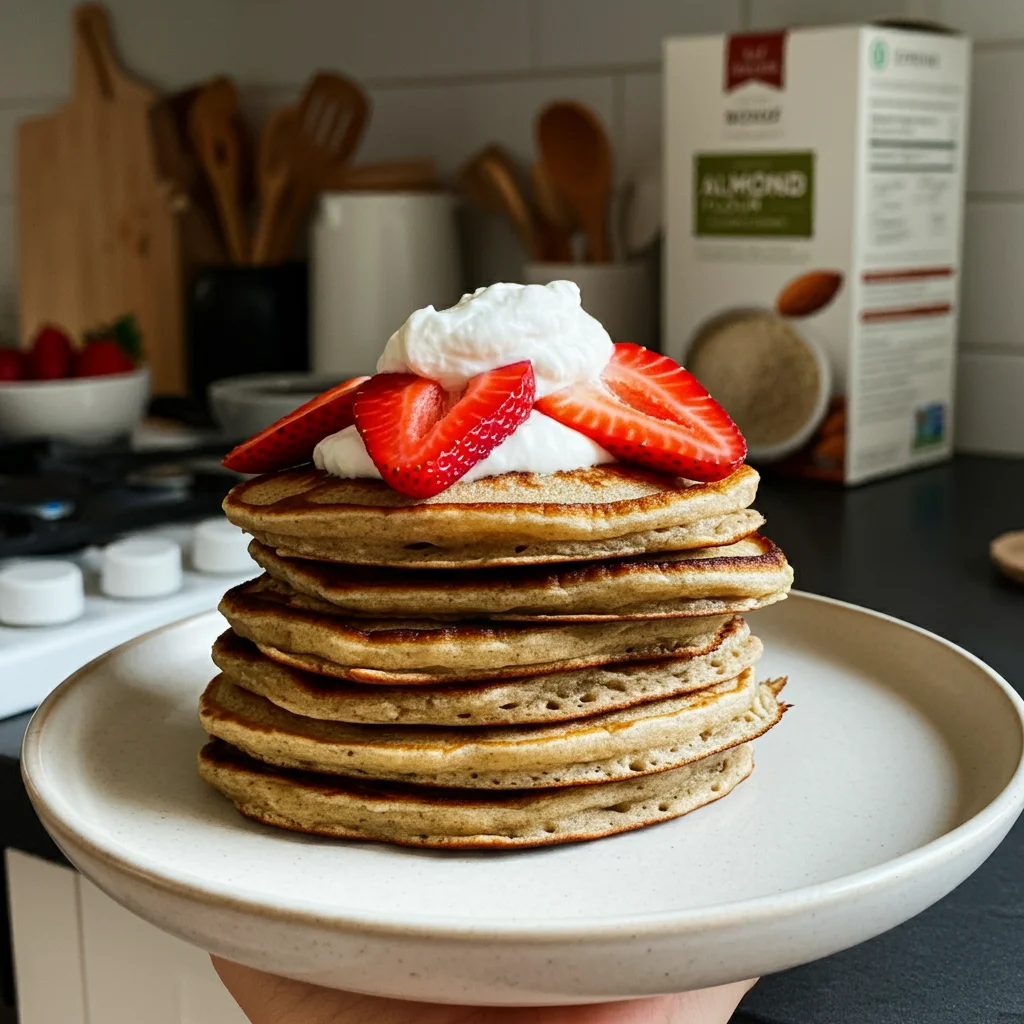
{"points": [[214, 124]]}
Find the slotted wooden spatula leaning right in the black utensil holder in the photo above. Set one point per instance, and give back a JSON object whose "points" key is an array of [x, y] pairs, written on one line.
{"points": [[330, 121]]}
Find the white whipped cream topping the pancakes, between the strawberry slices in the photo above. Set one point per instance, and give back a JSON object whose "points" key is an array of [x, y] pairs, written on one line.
{"points": [[492, 328]]}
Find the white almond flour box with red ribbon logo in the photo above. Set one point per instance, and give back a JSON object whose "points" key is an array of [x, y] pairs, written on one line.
{"points": [[815, 195]]}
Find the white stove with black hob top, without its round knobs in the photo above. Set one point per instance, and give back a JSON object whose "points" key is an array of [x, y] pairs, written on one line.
{"points": [[63, 502]]}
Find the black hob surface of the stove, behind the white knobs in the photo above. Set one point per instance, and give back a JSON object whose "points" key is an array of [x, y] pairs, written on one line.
{"points": [[57, 497]]}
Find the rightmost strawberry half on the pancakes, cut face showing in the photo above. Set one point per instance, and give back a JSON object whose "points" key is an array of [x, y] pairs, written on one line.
{"points": [[647, 409]]}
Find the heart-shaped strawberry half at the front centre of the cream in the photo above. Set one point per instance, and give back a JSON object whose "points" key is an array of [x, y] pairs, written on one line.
{"points": [[423, 440]]}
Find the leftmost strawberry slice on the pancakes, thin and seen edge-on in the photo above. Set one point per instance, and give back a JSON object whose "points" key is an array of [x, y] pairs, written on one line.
{"points": [[292, 440]]}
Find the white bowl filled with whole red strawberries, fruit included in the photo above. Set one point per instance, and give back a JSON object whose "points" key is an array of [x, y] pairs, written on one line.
{"points": [[91, 392]]}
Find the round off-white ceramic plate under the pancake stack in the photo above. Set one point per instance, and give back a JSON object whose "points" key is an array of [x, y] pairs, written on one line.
{"points": [[895, 775]]}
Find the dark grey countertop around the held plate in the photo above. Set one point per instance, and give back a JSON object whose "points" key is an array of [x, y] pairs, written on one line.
{"points": [[916, 547]]}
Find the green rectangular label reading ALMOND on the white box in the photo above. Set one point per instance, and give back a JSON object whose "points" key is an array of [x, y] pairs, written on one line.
{"points": [[755, 195]]}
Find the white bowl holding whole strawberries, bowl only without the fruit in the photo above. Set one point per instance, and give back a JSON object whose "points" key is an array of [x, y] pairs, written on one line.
{"points": [[88, 410]]}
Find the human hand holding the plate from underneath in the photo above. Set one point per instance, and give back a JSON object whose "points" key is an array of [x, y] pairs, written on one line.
{"points": [[269, 1000]]}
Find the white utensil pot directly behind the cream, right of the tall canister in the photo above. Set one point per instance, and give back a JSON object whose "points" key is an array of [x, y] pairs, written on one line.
{"points": [[620, 295]]}
